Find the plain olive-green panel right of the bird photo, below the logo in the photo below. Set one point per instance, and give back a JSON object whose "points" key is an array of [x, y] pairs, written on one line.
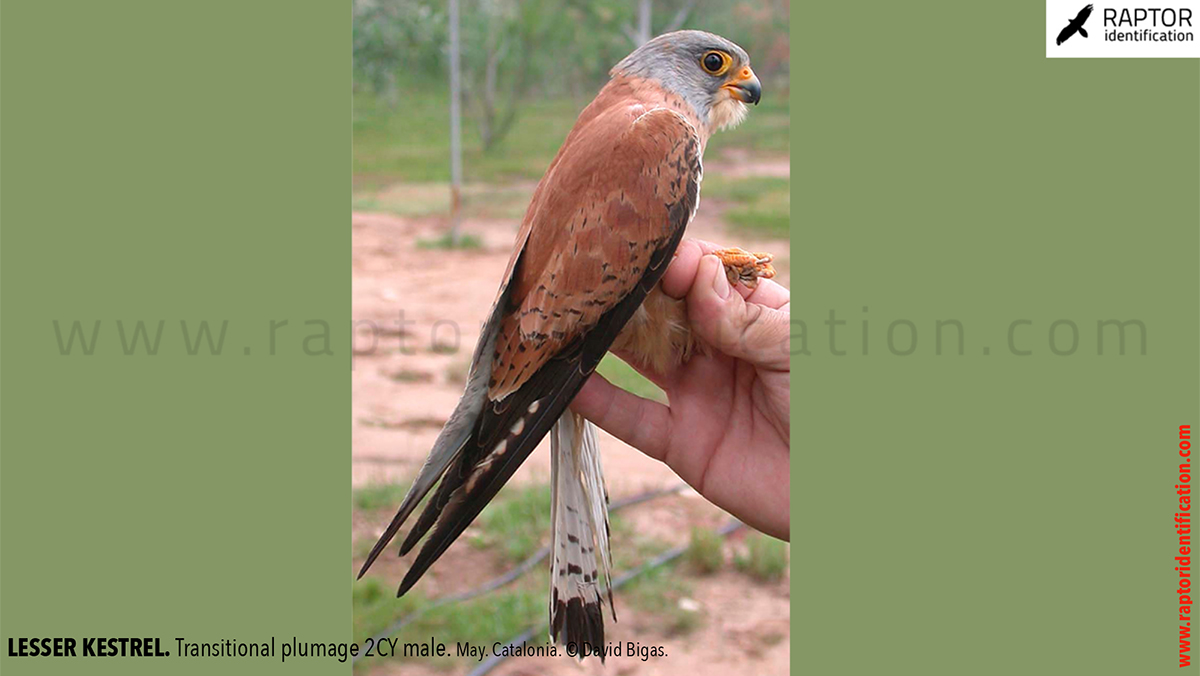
{"points": [[988, 513]]}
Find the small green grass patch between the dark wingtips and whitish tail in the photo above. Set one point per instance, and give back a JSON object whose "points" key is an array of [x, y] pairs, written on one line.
{"points": [[517, 523]]}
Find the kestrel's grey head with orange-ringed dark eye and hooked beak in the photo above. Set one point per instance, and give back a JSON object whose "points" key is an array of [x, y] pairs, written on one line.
{"points": [[710, 73]]}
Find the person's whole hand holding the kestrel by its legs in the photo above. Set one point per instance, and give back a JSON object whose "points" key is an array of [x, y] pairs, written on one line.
{"points": [[727, 428]]}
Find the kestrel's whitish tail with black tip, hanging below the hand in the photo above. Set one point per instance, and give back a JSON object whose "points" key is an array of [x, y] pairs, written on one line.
{"points": [[580, 531]]}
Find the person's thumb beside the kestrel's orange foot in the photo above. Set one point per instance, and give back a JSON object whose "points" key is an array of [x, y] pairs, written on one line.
{"points": [[725, 321]]}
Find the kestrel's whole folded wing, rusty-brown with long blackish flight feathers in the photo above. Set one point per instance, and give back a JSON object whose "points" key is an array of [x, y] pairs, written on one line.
{"points": [[599, 235]]}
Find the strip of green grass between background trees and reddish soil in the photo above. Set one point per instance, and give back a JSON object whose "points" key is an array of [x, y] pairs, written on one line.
{"points": [[403, 159]]}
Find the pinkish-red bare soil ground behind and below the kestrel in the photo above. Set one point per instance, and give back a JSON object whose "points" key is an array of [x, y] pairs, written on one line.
{"points": [[418, 314]]}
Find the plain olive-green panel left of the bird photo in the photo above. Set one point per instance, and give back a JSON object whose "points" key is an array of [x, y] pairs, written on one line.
{"points": [[176, 163]]}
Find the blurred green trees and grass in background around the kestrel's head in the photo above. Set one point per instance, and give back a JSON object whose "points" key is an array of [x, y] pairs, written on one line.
{"points": [[529, 67]]}
